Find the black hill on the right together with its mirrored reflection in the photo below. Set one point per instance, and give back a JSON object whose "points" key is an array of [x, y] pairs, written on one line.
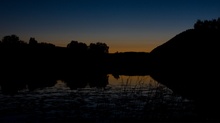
{"points": [[188, 64]]}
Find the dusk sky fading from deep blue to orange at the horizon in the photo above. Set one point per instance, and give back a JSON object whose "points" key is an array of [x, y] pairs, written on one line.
{"points": [[124, 25]]}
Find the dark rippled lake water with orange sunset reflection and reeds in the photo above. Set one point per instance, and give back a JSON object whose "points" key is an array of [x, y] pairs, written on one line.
{"points": [[129, 99]]}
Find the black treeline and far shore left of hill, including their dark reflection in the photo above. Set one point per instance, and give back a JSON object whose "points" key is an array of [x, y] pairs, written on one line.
{"points": [[41, 64]]}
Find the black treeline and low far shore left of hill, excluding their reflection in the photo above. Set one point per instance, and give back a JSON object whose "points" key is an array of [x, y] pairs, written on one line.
{"points": [[48, 59]]}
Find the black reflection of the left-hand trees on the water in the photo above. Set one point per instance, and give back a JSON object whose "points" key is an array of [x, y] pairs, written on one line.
{"points": [[12, 86]]}
